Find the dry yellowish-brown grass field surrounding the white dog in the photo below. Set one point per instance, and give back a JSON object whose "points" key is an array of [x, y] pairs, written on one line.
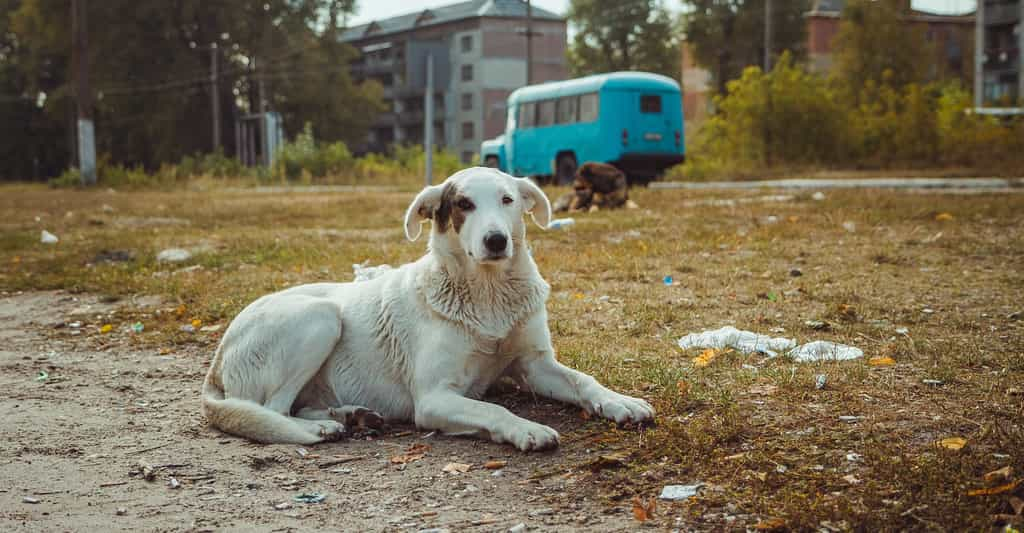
{"points": [[762, 453]]}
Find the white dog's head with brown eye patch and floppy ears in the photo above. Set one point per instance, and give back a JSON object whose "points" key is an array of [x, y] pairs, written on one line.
{"points": [[482, 209]]}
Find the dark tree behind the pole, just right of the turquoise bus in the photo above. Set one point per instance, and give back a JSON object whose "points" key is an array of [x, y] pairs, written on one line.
{"points": [[728, 36]]}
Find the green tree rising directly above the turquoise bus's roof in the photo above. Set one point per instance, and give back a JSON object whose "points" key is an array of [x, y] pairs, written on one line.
{"points": [[623, 35]]}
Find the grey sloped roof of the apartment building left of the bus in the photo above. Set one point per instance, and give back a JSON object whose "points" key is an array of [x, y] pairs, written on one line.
{"points": [[447, 14]]}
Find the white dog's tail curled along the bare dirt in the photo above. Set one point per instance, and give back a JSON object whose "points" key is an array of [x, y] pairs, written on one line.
{"points": [[247, 419]]}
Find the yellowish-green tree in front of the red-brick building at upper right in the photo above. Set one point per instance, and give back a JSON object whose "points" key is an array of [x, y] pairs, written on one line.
{"points": [[876, 45]]}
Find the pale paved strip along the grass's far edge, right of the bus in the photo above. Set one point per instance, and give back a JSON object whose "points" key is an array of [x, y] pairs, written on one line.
{"points": [[899, 184]]}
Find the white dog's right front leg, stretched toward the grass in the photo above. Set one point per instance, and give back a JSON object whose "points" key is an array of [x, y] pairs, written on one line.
{"points": [[545, 376]]}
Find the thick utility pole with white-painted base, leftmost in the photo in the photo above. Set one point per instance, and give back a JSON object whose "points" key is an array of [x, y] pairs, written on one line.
{"points": [[83, 96]]}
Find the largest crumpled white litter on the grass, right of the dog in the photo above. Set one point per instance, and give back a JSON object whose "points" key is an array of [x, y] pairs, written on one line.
{"points": [[749, 342]]}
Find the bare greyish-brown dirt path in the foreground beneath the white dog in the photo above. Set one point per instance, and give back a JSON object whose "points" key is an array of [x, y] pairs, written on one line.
{"points": [[75, 441]]}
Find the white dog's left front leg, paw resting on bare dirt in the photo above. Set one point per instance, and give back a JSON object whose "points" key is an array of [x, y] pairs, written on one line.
{"points": [[445, 410]]}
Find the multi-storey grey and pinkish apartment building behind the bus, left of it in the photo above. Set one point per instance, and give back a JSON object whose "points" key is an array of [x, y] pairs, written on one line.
{"points": [[480, 56]]}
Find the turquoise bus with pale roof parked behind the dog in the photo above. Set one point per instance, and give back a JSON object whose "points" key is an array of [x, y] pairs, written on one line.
{"points": [[631, 120]]}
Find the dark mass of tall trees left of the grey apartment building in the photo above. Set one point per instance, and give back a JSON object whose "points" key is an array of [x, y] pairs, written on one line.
{"points": [[150, 65]]}
